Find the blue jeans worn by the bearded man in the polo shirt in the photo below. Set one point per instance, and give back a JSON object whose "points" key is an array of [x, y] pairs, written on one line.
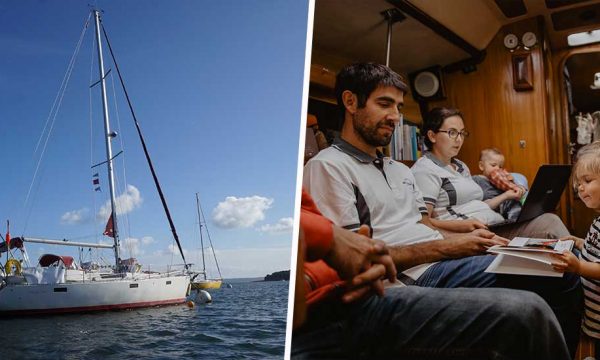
{"points": [[563, 295]]}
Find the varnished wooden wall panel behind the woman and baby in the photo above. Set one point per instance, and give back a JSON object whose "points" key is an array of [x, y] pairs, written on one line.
{"points": [[495, 113]]}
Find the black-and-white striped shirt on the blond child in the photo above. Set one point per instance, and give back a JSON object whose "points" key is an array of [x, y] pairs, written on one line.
{"points": [[591, 287]]}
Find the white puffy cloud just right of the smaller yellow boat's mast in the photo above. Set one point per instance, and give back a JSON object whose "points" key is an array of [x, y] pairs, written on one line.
{"points": [[240, 212]]}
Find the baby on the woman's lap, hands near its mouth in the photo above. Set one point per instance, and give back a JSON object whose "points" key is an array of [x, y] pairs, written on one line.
{"points": [[499, 184]]}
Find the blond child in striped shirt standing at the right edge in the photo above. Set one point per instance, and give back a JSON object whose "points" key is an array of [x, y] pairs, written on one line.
{"points": [[586, 178]]}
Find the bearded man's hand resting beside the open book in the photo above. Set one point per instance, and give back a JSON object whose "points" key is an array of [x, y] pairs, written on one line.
{"points": [[475, 243]]}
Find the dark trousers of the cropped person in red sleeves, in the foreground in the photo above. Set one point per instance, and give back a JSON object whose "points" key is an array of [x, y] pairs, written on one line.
{"points": [[422, 323]]}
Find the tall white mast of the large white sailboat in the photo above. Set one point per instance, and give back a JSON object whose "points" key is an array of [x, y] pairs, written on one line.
{"points": [[108, 135]]}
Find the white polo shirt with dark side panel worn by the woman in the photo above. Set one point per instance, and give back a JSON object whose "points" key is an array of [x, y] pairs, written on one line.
{"points": [[451, 191]]}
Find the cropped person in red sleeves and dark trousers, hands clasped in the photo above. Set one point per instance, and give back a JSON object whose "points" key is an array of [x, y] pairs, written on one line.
{"points": [[346, 321]]}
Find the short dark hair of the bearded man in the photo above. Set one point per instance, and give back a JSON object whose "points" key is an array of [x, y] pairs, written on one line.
{"points": [[362, 79]]}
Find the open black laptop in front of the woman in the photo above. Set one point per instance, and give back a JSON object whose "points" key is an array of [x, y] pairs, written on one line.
{"points": [[544, 193]]}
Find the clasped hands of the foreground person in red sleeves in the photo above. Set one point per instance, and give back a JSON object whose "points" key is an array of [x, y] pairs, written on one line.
{"points": [[363, 261]]}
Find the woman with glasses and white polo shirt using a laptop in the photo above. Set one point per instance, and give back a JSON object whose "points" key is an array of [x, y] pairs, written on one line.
{"points": [[453, 199]]}
